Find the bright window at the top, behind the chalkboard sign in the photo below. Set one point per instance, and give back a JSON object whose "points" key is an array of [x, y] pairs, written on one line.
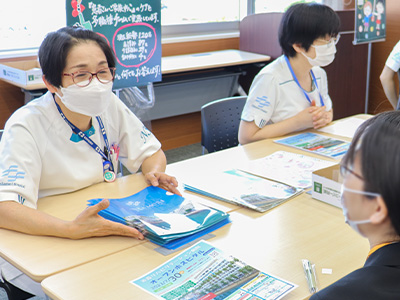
{"points": [[24, 23]]}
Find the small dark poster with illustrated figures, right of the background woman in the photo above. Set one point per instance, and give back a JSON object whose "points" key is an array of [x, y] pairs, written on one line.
{"points": [[370, 21]]}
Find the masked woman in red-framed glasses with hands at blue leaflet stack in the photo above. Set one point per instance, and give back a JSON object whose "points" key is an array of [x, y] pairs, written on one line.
{"points": [[63, 141]]}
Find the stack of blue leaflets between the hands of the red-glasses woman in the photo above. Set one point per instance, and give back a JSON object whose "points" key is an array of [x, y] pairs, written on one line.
{"points": [[164, 218]]}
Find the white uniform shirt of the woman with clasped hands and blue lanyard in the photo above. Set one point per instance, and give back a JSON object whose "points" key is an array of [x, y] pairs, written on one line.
{"points": [[274, 96]]}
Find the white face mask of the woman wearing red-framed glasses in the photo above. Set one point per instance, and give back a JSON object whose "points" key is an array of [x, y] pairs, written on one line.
{"points": [[91, 100]]}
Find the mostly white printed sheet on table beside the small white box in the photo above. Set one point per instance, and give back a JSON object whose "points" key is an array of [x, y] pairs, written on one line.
{"points": [[287, 167]]}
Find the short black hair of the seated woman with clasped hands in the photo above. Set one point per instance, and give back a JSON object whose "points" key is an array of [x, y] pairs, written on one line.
{"points": [[303, 23]]}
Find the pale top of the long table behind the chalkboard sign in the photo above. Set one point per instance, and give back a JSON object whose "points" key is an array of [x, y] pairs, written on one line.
{"points": [[190, 62]]}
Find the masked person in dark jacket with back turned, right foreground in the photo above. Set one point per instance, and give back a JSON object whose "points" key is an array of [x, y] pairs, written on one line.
{"points": [[371, 206]]}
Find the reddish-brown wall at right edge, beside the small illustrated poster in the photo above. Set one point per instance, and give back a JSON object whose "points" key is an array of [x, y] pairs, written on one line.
{"points": [[380, 51]]}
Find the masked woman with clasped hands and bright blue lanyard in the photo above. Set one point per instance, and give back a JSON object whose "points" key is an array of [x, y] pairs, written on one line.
{"points": [[291, 93]]}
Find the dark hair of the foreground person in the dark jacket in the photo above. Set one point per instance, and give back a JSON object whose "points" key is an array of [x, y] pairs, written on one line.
{"points": [[377, 141]]}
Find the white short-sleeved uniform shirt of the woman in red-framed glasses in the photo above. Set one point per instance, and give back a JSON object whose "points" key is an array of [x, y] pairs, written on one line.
{"points": [[38, 157]]}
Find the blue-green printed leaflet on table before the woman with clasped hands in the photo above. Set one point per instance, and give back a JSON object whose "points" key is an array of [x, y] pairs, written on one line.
{"points": [[316, 143]]}
